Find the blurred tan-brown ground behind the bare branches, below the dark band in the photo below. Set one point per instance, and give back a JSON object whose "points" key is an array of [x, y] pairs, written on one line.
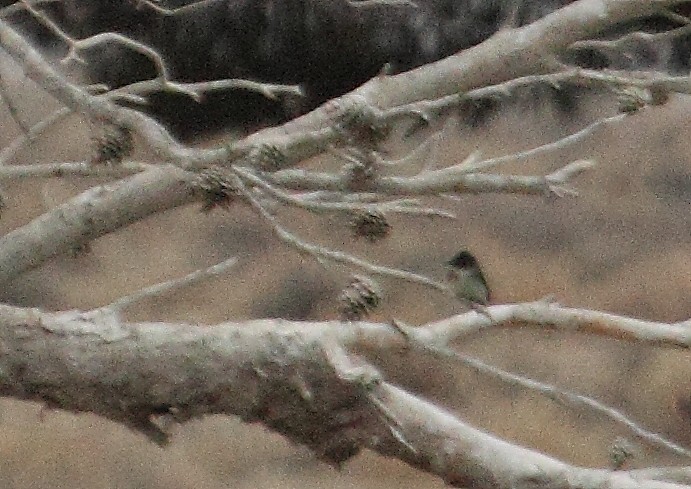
{"points": [[624, 246]]}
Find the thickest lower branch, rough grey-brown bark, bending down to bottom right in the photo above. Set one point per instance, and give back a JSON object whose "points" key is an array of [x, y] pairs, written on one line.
{"points": [[293, 377]]}
